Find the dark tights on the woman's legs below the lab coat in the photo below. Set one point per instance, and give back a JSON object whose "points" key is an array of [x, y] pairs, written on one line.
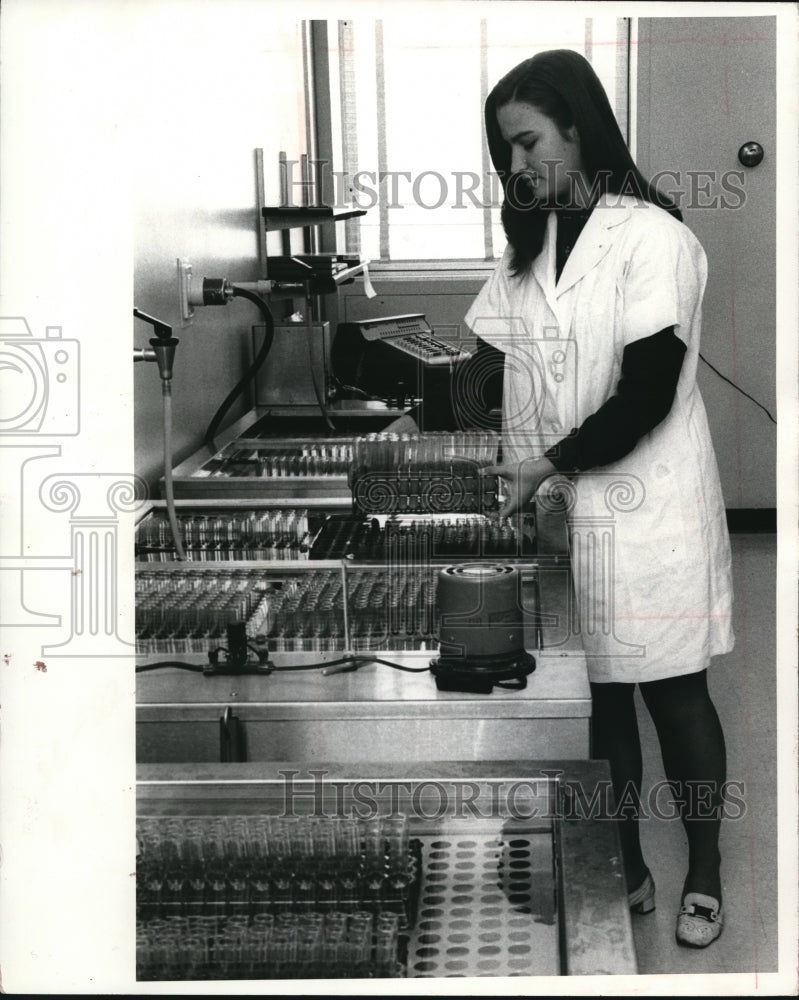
{"points": [[694, 757]]}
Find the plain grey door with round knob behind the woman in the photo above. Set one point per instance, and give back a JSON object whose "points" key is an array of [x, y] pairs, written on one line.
{"points": [[706, 86]]}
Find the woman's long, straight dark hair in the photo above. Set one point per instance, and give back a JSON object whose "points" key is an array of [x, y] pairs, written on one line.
{"points": [[562, 85]]}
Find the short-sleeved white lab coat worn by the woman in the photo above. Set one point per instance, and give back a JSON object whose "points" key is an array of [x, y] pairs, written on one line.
{"points": [[649, 543]]}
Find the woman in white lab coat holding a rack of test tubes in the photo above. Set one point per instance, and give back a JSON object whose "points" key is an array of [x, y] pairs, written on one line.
{"points": [[589, 330]]}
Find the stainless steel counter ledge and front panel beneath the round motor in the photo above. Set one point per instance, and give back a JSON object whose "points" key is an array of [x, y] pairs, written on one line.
{"points": [[374, 713]]}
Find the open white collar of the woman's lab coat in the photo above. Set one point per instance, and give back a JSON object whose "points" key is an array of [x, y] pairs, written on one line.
{"points": [[611, 210]]}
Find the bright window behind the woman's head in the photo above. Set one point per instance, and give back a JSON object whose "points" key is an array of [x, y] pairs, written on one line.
{"points": [[407, 116]]}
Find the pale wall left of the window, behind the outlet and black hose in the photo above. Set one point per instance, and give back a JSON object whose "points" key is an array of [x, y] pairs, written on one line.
{"points": [[231, 84]]}
